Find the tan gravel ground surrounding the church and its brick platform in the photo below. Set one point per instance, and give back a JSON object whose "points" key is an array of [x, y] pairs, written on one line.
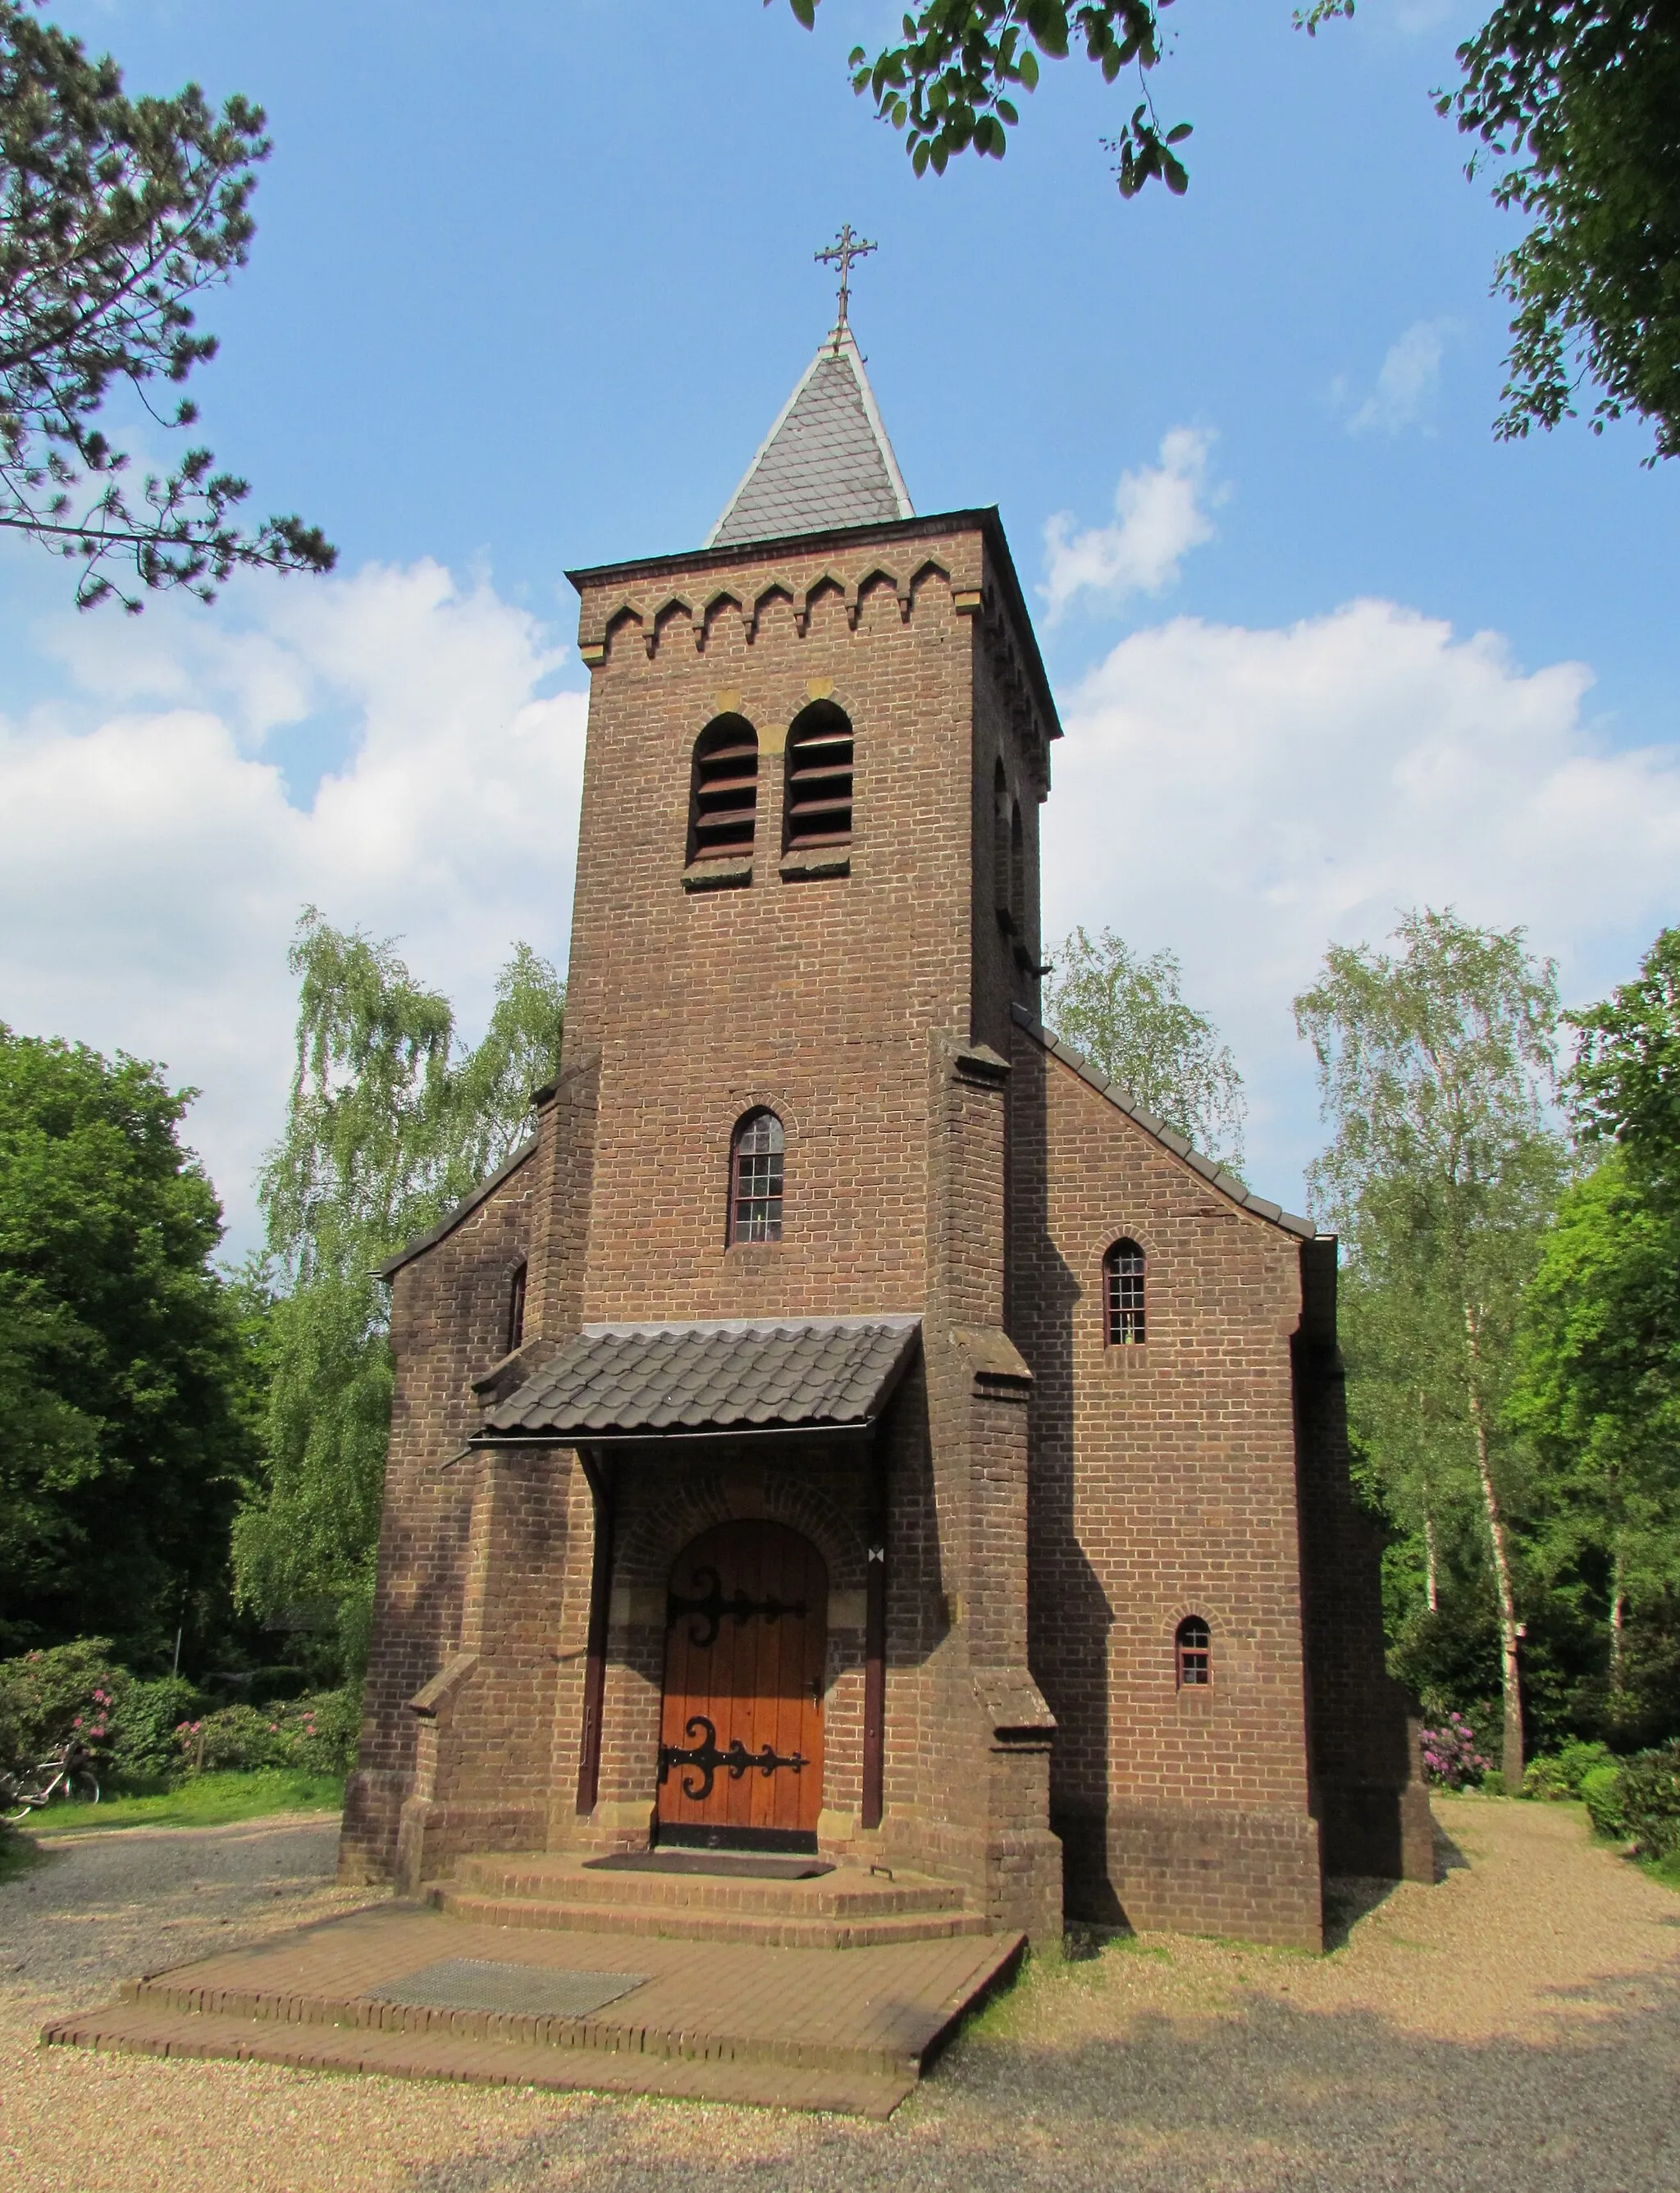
{"points": [[1517, 2025]]}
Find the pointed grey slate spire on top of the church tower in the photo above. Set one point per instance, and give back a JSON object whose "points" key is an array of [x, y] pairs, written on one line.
{"points": [[824, 464]]}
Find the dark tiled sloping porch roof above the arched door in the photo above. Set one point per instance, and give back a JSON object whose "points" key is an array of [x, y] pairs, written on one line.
{"points": [[712, 1376]]}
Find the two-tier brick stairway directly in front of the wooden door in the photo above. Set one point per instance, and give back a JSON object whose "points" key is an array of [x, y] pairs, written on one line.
{"points": [[848, 1909]]}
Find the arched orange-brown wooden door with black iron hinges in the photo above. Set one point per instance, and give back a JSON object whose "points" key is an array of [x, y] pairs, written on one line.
{"points": [[742, 1725]]}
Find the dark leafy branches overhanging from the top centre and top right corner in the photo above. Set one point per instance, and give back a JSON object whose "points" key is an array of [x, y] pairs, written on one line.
{"points": [[1576, 102]]}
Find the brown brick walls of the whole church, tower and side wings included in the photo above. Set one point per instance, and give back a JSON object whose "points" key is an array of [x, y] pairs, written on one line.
{"points": [[1054, 1512]]}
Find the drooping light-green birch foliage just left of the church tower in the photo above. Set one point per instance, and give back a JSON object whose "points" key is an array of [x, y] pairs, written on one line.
{"points": [[391, 1124]]}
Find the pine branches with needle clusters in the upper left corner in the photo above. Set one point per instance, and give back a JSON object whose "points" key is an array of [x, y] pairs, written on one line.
{"points": [[115, 216]]}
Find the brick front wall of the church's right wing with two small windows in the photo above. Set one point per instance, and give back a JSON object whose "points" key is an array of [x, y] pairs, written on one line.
{"points": [[1163, 1486]]}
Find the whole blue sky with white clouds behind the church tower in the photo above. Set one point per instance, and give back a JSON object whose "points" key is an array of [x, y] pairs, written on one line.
{"points": [[527, 291]]}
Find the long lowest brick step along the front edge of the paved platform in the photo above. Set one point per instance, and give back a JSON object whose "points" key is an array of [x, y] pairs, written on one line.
{"points": [[157, 2030]]}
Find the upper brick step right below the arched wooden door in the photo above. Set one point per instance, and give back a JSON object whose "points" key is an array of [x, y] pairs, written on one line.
{"points": [[845, 1894]]}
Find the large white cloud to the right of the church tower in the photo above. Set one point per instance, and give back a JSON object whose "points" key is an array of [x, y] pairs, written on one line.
{"points": [[1247, 797]]}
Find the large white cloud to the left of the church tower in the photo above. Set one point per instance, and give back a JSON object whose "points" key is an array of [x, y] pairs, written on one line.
{"points": [[152, 865]]}
